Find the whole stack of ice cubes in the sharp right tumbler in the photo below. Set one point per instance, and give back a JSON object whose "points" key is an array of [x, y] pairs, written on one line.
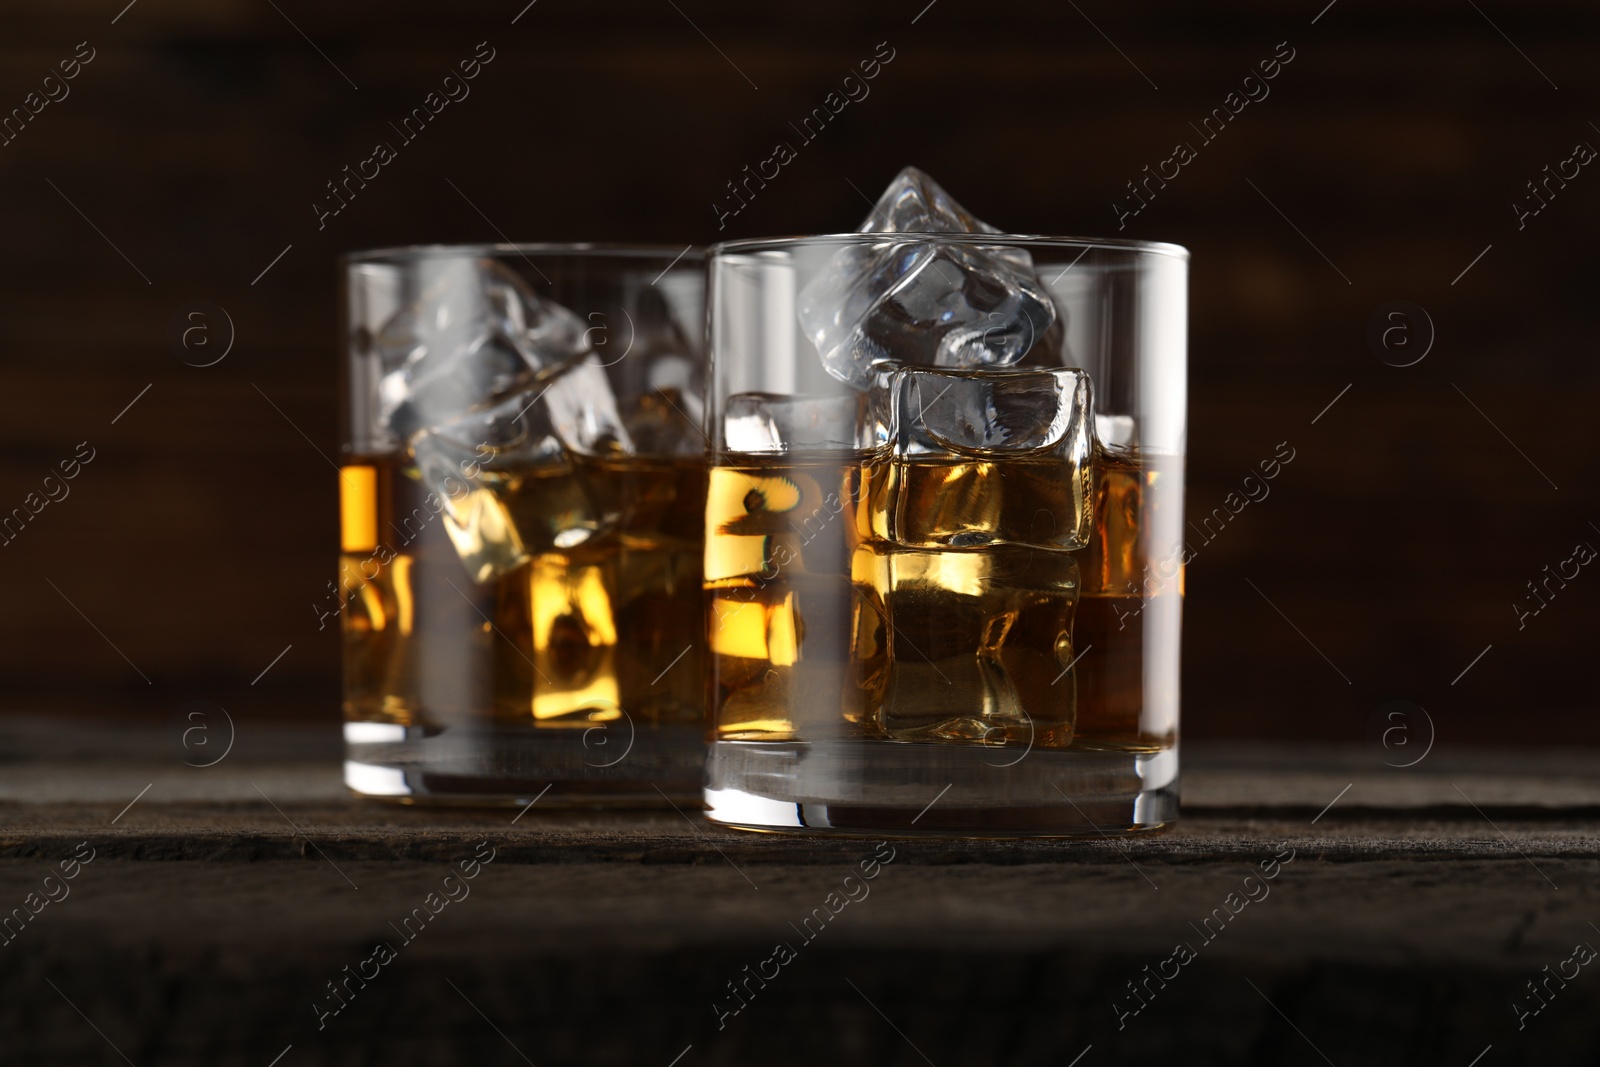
{"points": [[980, 442]]}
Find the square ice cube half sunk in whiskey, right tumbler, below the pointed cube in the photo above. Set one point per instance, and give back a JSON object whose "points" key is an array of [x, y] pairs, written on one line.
{"points": [[990, 458]]}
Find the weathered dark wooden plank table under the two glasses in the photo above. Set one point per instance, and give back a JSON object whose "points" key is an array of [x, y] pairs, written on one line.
{"points": [[220, 906]]}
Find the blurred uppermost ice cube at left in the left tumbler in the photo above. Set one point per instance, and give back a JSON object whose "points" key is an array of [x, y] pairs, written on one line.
{"points": [[476, 334]]}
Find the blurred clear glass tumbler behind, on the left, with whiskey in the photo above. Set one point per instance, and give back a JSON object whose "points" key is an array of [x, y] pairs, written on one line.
{"points": [[522, 502]]}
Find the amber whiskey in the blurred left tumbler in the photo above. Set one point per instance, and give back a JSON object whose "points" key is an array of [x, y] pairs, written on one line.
{"points": [[497, 607]]}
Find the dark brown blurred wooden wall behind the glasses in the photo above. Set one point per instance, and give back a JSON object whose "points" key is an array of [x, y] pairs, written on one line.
{"points": [[1396, 142]]}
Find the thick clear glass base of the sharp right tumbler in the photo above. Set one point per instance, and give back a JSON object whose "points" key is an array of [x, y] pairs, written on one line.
{"points": [[876, 788]]}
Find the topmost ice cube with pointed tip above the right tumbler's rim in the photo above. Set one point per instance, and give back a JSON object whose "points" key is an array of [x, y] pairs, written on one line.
{"points": [[924, 303]]}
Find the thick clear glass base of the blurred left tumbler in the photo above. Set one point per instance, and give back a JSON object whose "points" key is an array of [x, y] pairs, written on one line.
{"points": [[503, 767]]}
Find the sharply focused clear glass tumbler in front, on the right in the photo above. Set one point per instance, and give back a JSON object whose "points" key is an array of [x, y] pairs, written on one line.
{"points": [[945, 533]]}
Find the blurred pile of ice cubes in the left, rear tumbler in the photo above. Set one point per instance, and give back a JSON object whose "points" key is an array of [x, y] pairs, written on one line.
{"points": [[494, 386]]}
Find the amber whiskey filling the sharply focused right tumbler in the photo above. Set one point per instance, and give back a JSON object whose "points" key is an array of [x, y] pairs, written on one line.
{"points": [[934, 601]]}
